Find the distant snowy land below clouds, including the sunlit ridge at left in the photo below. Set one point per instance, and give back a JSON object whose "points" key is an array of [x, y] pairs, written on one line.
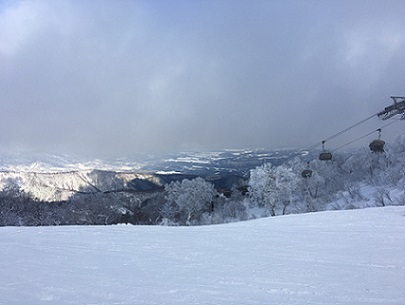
{"points": [[58, 177]]}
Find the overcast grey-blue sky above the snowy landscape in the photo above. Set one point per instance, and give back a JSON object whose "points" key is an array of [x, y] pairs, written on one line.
{"points": [[109, 78]]}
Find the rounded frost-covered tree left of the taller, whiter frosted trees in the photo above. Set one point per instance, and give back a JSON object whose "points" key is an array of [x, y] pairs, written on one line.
{"points": [[187, 200]]}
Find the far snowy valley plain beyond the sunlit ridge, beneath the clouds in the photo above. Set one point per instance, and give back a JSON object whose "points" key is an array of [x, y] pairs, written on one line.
{"points": [[235, 161]]}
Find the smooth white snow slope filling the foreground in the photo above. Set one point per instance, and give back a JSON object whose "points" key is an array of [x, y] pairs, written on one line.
{"points": [[336, 257]]}
